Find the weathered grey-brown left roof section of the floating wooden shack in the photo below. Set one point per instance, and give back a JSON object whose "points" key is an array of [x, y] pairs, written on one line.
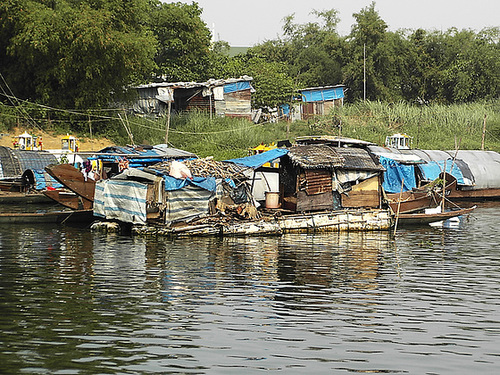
{"points": [[315, 156]]}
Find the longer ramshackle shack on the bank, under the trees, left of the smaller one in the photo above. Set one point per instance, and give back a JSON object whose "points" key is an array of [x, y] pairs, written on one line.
{"points": [[223, 97]]}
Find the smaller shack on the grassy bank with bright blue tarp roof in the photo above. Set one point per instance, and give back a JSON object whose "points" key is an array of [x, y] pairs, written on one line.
{"points": [[318, 101]]}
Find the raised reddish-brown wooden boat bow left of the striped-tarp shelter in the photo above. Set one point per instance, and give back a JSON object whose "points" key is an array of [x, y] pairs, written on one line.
{"points": [[73, 179]]}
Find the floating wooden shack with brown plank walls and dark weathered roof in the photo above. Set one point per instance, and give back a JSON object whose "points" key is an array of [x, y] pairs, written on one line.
{"points": [[322, 177]]}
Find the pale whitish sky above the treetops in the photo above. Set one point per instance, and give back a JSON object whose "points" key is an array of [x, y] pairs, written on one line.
{"points": [[250, 22]]}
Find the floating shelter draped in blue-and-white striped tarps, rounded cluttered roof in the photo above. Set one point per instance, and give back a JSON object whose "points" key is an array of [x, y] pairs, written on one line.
{"points": [[172, 192]]}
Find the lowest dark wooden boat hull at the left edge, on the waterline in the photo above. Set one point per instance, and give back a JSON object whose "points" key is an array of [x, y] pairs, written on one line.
{"points": [[57, 217]]}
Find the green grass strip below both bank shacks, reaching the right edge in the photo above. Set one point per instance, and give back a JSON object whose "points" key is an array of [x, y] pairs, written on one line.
{"points": [[432, 127]]}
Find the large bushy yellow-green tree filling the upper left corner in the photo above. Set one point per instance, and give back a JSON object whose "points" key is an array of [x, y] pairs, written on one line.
{"points": [[74, 54]]}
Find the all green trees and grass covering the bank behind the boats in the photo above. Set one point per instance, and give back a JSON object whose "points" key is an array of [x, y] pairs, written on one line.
{"points": [[64, 63]]}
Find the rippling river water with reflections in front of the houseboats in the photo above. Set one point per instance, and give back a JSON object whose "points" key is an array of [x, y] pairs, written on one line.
{"points": [[425, 301]]}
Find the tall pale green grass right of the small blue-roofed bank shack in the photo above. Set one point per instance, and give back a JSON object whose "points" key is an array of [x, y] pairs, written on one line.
{"points": [[432, 127]]}
